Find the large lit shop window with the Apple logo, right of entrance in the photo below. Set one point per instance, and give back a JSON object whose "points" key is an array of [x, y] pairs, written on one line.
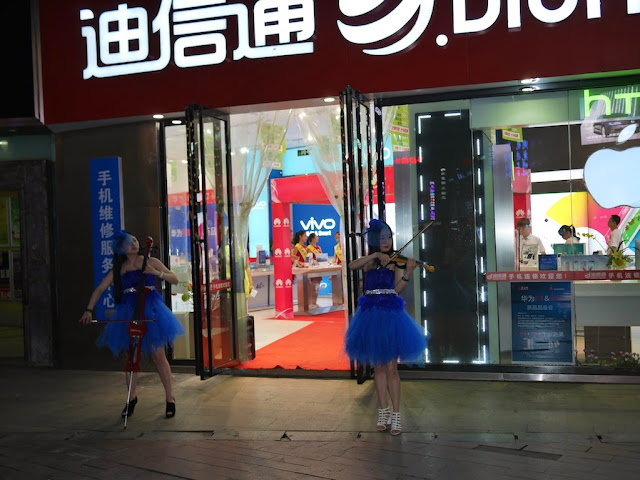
{"points": [[566, 161]]}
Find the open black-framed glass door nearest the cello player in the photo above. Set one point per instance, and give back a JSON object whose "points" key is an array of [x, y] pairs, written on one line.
{"points": [[211, 231]]}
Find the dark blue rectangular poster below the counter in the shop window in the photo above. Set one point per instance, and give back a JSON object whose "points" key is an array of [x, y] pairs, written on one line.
{"points": [[542, 323]]}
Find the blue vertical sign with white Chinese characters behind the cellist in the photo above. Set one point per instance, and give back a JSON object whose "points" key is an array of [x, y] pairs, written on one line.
{"points": [[106, 219]]}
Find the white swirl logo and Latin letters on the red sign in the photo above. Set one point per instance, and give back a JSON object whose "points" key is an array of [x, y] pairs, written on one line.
{"points": [[389, 25]]}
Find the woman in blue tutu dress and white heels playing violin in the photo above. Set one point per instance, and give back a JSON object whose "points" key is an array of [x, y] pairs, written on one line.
{"points": [[381, 331]]}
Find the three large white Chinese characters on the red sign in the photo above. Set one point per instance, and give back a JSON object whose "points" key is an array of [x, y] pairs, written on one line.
{"points": [[123, 38]]}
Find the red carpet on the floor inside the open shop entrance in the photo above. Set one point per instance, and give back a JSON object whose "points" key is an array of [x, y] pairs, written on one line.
{"points": [[318, 346]]}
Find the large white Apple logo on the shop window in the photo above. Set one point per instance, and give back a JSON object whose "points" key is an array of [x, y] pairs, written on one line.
{"points": [[610, 175]]}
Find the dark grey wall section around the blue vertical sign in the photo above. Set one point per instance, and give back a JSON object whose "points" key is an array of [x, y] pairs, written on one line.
{"points": [[142, 210]]}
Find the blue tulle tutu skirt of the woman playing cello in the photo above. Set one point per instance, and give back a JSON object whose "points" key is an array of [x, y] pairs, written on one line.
{"points": [[161, 332]]}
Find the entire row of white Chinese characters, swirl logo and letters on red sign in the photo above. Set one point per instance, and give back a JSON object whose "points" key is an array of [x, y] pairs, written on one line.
{"points": [[195, 33]]}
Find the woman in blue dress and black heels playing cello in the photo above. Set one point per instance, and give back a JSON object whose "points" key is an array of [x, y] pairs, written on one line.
{"points": [[163, 330]]}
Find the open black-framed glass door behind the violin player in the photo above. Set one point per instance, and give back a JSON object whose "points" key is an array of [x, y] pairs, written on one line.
{"points": [[357, 174]]}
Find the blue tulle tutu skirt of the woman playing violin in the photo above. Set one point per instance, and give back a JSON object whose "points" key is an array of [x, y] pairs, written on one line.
{"points": [[381, 331]]}
